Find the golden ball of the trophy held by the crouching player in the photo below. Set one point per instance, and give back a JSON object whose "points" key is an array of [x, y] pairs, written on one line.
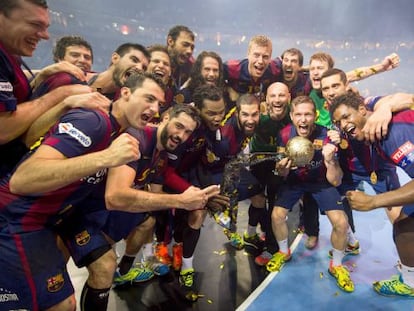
{"points": [[300, 151]]}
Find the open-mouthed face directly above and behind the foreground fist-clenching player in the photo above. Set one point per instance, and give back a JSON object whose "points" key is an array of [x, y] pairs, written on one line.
{"points": [[133, 61]]}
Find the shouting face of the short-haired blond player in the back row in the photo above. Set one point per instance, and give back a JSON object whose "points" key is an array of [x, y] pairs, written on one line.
{"points": [[259, 59]]}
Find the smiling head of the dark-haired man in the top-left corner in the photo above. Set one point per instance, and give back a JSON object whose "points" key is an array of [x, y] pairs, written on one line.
{"points": [[23, 28]]}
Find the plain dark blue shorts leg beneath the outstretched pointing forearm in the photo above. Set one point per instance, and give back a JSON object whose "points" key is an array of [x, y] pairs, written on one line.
{"points": [[120, 224]]}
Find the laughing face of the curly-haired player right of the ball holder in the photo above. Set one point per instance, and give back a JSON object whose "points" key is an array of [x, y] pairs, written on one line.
{"points": [[350, 121]]}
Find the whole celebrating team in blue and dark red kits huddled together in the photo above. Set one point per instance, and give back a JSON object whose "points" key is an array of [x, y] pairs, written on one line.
{"points": [[140, 153]]}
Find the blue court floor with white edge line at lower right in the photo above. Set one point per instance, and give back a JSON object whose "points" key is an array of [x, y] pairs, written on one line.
{"points": [[304, 282]]}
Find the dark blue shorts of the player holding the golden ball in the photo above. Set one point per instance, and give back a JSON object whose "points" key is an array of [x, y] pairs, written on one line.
{"points": [[326, 196]]}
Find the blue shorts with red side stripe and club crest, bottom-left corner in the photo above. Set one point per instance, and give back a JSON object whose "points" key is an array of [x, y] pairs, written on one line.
{"points": [[33, 271]]}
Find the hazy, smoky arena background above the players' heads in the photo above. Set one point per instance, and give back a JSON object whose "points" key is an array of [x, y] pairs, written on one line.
{"points": [[354, 32]]}
